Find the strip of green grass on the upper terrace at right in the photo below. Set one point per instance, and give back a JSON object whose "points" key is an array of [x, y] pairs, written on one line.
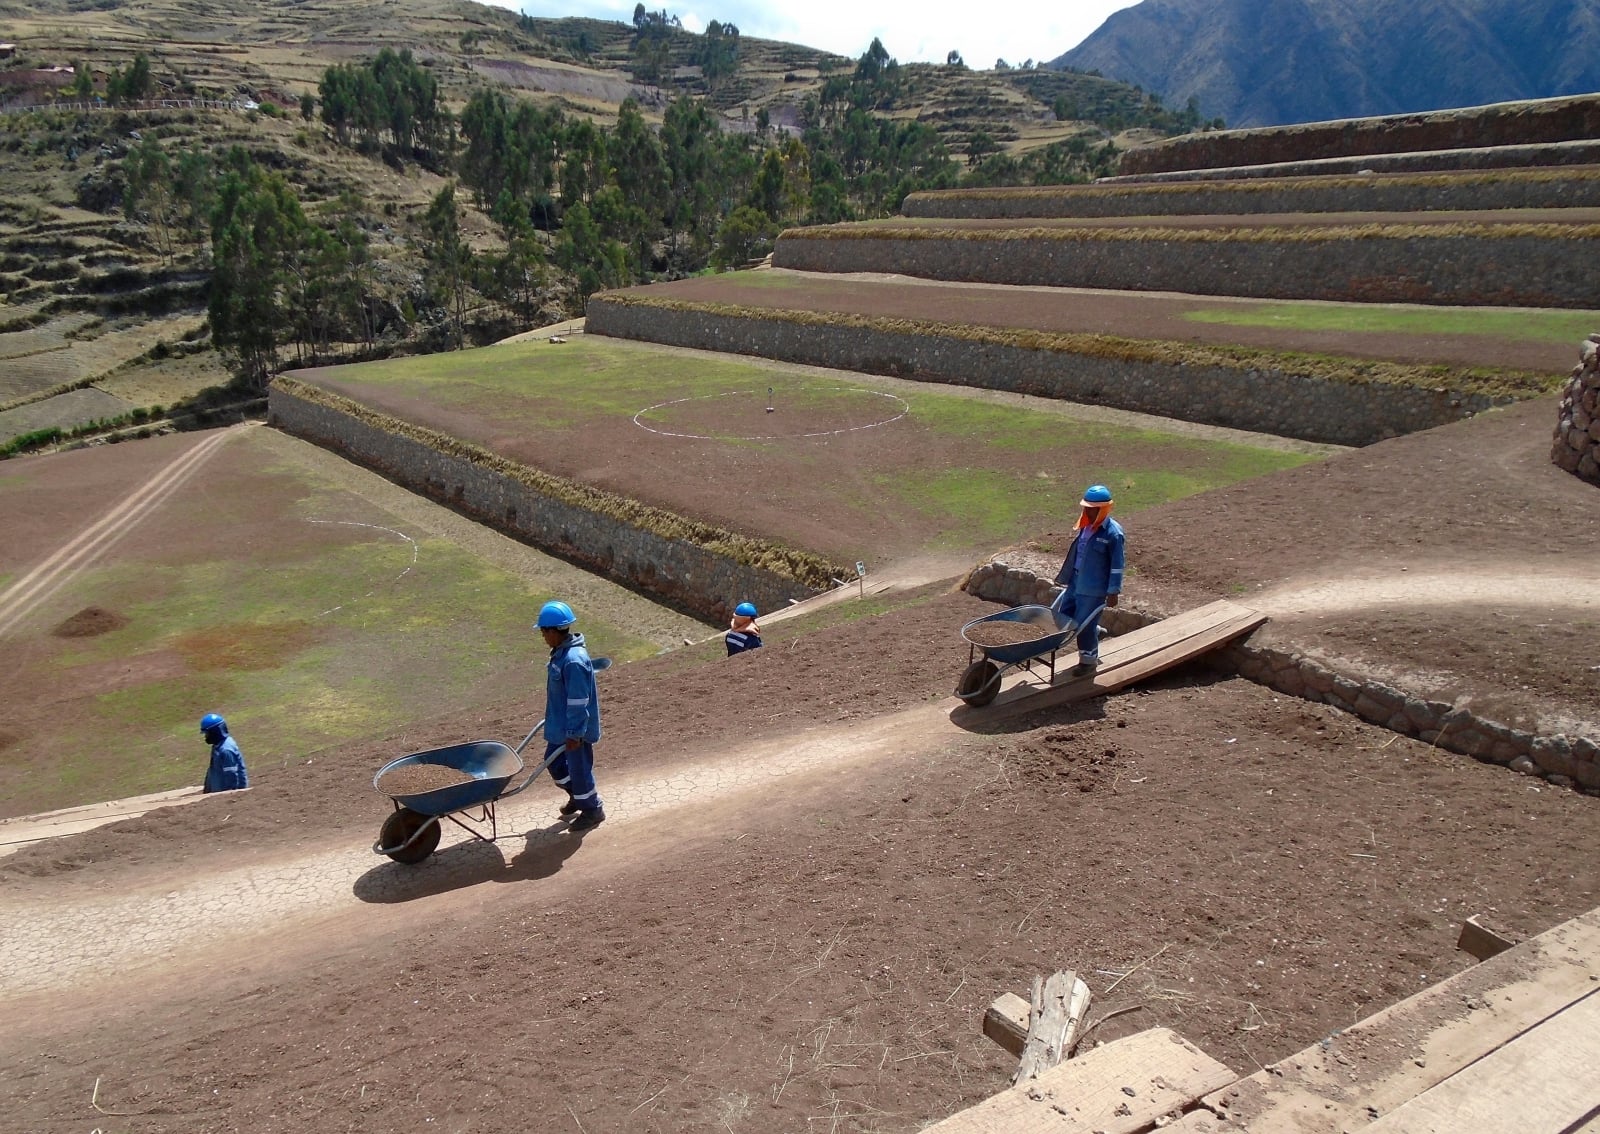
{"points": [[1372, 319]]}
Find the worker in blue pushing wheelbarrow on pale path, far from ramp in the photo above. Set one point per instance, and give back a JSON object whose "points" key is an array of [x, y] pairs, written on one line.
{"points": [[572, 716]]}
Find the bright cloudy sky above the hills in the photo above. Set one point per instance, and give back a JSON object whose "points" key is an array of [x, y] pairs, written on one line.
{"points": [[914, 31]]}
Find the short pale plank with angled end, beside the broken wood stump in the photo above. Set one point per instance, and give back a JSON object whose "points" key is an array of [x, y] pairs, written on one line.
{"points": [[1121, 1088]]}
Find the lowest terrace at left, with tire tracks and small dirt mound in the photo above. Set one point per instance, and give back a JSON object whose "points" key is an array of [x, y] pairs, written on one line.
{"points": [[310, 602]]}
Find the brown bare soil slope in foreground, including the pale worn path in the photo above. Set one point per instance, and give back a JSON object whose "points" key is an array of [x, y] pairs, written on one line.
{"points": [[814, 882]]}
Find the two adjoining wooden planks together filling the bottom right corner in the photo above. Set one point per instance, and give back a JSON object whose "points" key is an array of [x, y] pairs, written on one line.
{"points": [[1508, 1047]]}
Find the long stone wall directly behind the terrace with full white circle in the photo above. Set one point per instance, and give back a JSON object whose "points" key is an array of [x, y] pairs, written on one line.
{"points": [[1276, 402]]}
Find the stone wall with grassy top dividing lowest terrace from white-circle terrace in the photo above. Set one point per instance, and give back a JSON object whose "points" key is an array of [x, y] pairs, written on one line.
{"points": [[673, 572]]}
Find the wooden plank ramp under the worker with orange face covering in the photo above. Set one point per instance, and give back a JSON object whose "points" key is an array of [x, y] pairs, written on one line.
{"points": [[1126, 660]]}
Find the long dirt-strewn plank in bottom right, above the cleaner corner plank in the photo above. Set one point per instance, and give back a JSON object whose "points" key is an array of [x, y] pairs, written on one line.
{"points": [[1409, 1048]]}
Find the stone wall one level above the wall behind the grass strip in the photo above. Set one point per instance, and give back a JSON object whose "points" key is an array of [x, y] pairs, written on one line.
{"points": [[1374, 194]]}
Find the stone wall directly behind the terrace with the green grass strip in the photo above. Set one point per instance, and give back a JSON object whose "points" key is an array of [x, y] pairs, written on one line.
{"points": [[1550, 266]]}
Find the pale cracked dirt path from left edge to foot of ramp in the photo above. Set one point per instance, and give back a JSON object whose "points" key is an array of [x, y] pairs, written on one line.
{"points": [[81, 940]]}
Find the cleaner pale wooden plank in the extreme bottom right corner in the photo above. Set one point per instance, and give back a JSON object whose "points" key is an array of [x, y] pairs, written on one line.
{"points": [[1540, 1084]]}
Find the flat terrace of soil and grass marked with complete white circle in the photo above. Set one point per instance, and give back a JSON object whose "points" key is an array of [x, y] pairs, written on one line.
{"points": [[846, 466]]}
